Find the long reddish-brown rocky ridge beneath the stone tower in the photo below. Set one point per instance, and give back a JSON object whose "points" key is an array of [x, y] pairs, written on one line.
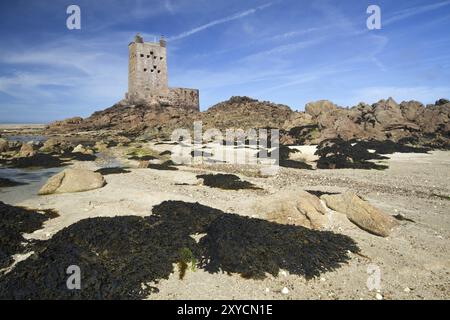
{"points": [[409, 121]]}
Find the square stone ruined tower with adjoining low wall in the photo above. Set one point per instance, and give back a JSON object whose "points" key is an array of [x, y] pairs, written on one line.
{"points": [[148, 77]]}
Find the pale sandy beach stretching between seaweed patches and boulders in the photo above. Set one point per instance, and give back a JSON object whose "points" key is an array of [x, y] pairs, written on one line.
{"points": [[414, 260]]}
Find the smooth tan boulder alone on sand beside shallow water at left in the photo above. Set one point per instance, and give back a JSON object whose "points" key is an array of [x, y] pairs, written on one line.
{"points": [[73, 180]]}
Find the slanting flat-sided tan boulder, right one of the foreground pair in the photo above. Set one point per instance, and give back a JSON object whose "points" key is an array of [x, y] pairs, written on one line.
{"points": [[361, 213]]}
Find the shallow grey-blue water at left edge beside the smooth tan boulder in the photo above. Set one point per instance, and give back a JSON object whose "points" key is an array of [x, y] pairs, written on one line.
{"points": [[34, 179]]}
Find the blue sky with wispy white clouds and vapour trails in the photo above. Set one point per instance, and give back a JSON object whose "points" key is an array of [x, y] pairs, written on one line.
{"points": [[286, 51]]}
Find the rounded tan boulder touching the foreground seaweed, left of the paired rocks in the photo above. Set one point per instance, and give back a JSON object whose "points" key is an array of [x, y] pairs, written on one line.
{"points": [[298, 208]]}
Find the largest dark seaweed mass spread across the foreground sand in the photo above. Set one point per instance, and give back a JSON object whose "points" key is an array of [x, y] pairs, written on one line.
{"points": [[121, 257]]}
